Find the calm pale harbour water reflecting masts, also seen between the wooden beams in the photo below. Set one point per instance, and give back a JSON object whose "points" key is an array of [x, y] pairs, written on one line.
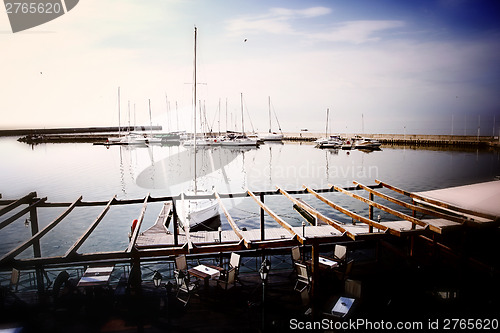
{"points": [[63, 172]]}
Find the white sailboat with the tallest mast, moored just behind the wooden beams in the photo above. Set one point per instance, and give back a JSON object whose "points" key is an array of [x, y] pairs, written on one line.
{"points": [[195, 213]]}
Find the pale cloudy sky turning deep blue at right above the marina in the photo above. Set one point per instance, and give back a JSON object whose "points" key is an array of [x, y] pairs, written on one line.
{"points": [[378, 66]]}
